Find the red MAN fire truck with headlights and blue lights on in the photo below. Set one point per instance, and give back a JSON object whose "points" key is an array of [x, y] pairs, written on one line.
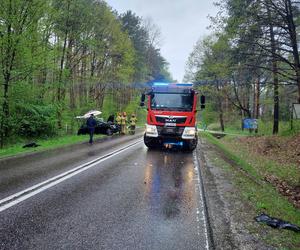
{"points": [[171, 118]]}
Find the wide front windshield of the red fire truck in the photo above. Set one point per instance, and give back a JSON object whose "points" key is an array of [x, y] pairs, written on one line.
{"points": [[172, 101]]}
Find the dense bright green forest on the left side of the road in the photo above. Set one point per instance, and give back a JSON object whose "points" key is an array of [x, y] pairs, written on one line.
{"points": [[61, 58]]}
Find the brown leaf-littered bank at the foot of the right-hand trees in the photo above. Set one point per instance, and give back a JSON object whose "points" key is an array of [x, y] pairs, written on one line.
{"points": [[284, 150]]}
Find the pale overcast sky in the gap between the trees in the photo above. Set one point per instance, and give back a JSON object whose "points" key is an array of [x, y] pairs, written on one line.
{"points": [[182, 23]]}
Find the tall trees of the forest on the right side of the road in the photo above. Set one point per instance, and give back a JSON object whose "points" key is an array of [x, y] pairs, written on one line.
{"points": [[249, 66]]}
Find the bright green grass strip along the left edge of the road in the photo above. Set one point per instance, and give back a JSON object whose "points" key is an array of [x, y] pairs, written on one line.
{"points": [[46, 144]]}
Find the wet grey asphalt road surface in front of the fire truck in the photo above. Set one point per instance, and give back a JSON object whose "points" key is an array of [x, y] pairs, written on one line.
{"points": [[138, 199]]}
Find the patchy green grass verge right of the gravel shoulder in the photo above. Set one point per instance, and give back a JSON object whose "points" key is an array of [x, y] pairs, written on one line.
{"points": [[262, 197]]}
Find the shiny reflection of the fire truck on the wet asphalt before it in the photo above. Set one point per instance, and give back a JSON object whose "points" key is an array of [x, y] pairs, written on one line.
{"points": [[167, 180]]}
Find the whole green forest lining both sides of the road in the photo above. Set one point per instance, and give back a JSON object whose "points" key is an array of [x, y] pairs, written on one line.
{"points": [[61, 58]]}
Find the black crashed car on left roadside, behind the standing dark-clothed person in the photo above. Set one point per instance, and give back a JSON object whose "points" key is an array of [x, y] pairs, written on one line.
{"points": [[105, 128]]}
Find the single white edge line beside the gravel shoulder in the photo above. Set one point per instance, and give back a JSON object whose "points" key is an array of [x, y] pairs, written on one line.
{"points": [[203, 213]]}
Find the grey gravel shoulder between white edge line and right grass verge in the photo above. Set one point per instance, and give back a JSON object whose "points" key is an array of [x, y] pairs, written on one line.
{"points": [[231, 220]]}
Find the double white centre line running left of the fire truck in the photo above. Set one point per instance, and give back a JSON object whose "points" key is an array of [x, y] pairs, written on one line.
{"points": [[42, 186]]}
